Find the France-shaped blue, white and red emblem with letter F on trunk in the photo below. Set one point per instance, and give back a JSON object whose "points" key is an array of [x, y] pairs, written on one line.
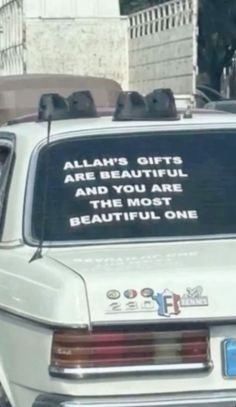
{"points": [[168, 303]]}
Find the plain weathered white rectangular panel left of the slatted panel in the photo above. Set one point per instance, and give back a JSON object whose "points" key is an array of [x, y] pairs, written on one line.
{"points": [[96, 47]]}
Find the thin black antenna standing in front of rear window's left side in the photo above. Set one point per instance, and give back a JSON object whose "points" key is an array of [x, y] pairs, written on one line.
{"points": [[38, 253]]}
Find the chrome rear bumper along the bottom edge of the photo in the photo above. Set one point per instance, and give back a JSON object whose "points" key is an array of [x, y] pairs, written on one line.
{"points": [[214, 398]]}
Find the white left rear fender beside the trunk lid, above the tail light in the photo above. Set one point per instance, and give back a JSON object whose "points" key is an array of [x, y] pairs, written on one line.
{"points": [[45, 279]]}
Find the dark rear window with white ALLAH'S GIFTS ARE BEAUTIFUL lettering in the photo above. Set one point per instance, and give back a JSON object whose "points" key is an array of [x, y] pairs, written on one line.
{"points": [[172, 185]]}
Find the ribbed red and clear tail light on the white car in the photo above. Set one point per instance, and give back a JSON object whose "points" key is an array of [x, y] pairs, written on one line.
{"points": [[121, 350]]}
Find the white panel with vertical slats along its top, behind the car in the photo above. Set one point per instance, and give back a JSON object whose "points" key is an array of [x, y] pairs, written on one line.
{"points": [[163, 47]]}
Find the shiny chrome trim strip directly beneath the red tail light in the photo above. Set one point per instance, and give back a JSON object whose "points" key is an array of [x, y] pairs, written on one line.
{"points": [[83, 373]]}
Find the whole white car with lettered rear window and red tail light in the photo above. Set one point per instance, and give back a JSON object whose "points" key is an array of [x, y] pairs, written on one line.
{"points": [[118, 259]]}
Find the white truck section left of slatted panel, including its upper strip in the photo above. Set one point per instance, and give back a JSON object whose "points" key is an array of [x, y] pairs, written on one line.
{"points": [[64, 36]]}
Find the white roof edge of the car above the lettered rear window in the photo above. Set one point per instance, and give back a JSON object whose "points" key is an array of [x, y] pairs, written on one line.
{"points": [[35, 132]]}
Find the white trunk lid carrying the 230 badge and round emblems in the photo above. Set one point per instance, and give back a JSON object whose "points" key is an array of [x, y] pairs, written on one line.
{"points": [[177, 267]]}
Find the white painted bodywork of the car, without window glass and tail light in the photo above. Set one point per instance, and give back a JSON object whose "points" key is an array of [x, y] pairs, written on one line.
{"points": [[43, 289]]}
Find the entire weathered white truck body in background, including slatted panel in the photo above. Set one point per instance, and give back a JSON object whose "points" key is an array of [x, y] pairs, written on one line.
{"points": [[153, 48]]}
